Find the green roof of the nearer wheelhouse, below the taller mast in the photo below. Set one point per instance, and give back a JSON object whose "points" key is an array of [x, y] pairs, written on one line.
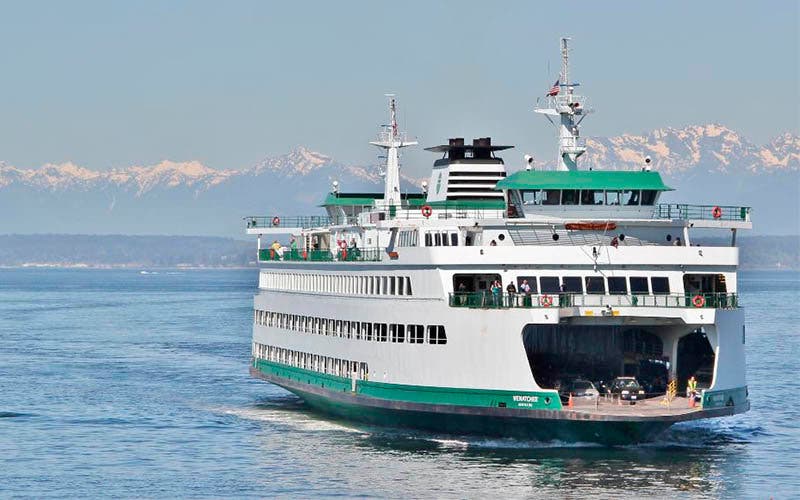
{"points": [[609, 180]]}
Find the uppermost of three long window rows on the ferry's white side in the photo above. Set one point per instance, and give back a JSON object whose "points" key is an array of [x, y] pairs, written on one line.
{"points": [[327, 283]]}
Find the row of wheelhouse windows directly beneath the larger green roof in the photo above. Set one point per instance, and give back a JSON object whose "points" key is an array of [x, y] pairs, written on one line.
{"points": [[594, 197]]}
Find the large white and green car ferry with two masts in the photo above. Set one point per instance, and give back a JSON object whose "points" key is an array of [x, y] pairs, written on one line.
{"points": [[545, 304]]}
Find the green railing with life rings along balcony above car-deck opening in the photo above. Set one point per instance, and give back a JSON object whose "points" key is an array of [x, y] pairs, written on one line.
{"points": [[488, 300]]}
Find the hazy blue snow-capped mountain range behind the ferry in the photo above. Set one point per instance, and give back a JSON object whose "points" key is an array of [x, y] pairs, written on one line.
{"points": [[707, 164]]}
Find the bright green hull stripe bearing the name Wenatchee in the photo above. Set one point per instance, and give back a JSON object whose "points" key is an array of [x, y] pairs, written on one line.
{"points": [[416, 393]]}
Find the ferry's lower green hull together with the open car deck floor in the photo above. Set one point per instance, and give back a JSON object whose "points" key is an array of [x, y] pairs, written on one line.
{"points": [[605, 422]]}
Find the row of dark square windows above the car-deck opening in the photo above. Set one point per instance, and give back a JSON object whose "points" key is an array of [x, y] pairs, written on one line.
{"points": [[613, 285]]}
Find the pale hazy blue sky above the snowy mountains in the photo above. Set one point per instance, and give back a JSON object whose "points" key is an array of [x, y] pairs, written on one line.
{"points": [[110, 83]]}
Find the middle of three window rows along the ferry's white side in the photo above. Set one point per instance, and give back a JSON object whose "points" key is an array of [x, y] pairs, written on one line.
{"points": [[359, 330]]}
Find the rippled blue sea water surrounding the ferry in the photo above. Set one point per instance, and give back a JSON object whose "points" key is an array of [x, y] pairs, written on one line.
{"points": [[131, 384]]}
